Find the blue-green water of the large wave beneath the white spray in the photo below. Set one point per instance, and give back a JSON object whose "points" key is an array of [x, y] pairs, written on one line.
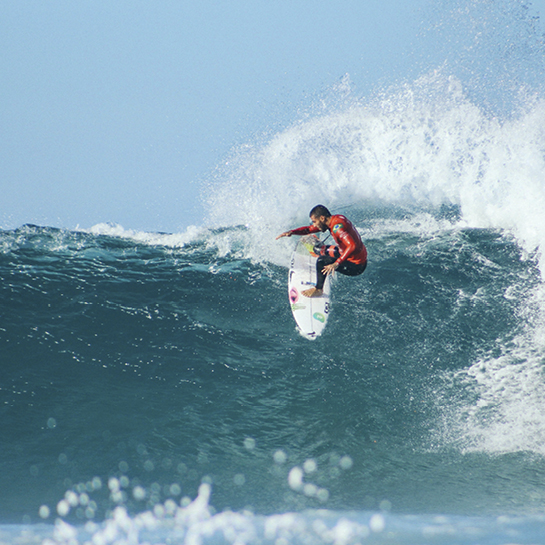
{"points": [[165, 364]]}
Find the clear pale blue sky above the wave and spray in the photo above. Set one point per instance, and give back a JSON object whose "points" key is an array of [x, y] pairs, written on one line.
{"points": [[116, 111]]}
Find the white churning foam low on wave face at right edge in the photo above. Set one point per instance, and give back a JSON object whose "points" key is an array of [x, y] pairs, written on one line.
{"points": [[506, 411]]}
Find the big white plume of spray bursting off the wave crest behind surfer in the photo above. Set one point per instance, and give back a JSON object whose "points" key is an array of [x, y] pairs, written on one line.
{"points": [[421, 147]]}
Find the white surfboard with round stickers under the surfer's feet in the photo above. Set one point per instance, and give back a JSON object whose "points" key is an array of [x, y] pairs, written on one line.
{"points": [[310, 313]]}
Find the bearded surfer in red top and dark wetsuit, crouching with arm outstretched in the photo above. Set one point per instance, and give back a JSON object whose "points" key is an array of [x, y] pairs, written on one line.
{"points": [[349, 257]]}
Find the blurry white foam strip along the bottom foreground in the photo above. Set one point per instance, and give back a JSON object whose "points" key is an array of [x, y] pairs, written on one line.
{"points": [[196, 523]]}
